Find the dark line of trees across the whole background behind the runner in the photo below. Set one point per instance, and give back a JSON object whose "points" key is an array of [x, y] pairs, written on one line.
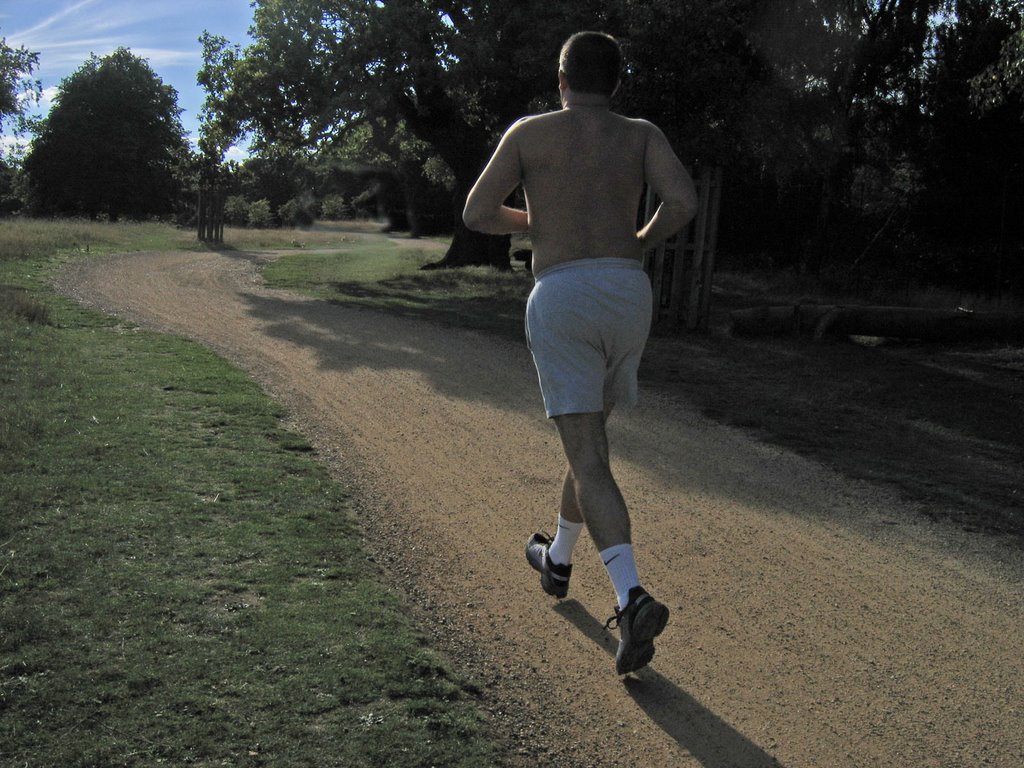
{"points": [[866, 142]]}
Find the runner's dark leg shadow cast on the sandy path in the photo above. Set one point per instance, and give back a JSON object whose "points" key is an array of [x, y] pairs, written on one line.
{"points": [[696, 729]]}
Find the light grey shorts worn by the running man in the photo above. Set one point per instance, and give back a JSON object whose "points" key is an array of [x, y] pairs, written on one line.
{"points": [[587, 324]]}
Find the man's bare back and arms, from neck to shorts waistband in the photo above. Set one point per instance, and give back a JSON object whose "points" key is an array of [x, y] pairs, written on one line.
{"points": [[583, 170]]}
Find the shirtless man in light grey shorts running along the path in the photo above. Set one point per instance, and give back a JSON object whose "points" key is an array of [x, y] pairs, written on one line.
{"points": [[583, 170]]}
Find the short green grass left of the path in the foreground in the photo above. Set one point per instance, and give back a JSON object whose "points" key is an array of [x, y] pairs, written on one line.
{"points": [[181, 582]]}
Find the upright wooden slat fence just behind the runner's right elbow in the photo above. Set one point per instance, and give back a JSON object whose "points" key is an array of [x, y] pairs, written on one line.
{"points": [[681, 269]]}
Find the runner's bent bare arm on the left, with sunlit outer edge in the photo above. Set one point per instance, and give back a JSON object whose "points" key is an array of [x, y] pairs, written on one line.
{"points": [[486, 210]]}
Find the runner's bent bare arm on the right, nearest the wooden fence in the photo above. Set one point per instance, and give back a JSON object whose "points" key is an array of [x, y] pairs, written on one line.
{"points": [[674, 188]]}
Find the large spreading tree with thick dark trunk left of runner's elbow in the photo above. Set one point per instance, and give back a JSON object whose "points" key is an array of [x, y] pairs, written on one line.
{"points": [[453, 74]]}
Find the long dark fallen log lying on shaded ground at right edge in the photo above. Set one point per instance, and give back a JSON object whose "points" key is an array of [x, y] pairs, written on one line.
{"points": [[823, 322]]}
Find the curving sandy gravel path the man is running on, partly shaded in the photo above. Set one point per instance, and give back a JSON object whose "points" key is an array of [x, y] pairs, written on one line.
{"points": [[814, 624]]}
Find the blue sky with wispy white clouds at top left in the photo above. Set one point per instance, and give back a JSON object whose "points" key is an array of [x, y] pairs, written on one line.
{"points": [[166, 33]]}
